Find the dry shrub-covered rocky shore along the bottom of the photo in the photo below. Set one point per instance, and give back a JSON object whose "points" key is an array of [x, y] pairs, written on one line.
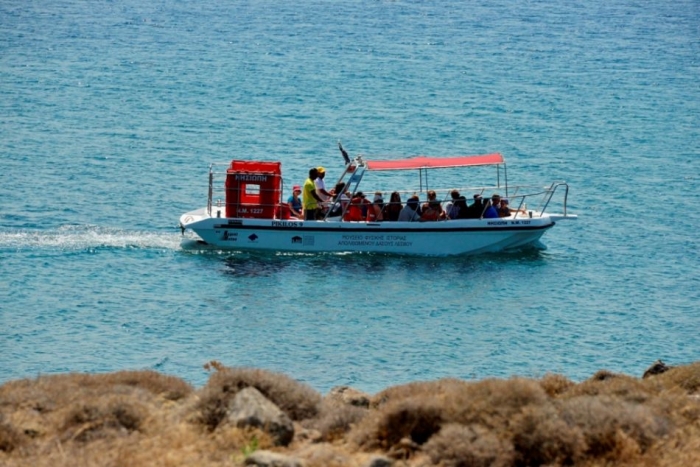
{"points": [[245, 416]]}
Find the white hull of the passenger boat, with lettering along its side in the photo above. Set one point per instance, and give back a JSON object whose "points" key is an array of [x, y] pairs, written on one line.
{"points": [[452, 237]]}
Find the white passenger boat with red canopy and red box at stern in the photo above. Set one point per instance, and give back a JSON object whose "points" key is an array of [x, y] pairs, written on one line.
{"points": [[246, 211]]}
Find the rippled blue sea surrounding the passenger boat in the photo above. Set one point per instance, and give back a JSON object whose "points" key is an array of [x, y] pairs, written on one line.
{"points": [[110, 113]]}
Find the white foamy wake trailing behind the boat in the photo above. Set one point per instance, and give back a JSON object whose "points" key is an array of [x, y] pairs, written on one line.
{"points": [[87, 237]]}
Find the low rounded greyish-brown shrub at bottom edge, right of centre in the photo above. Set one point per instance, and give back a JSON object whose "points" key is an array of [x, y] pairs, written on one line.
{"points": [[468, 446]]}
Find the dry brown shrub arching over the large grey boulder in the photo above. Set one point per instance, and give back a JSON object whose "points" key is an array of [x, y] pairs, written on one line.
{"points": [[296, 399]]}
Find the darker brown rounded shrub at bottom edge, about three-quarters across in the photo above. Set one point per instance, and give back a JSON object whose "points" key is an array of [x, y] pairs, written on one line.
{"points": [[541, 437]]}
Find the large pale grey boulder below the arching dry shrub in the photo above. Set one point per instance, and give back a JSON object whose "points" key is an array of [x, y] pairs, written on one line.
{"points": [[249, 408]]}
